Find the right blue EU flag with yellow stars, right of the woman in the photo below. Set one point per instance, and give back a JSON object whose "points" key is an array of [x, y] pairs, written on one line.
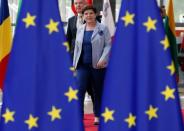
{"points": [[140, 92]]}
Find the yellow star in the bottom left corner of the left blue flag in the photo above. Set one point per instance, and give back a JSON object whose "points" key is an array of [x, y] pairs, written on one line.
{"points": [[8, 116]]}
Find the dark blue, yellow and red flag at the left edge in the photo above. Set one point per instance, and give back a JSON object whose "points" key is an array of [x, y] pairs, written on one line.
{"points": [[5, 38]]}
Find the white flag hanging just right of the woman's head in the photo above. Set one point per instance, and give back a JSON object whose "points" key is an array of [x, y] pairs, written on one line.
{"points": [[107, 18]]}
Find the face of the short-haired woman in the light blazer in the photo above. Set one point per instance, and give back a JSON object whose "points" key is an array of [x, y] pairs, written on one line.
{"points": [[89, 16]]}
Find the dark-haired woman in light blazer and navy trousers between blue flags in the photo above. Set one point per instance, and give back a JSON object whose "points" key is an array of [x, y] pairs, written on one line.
{"points": [[91, 54]]}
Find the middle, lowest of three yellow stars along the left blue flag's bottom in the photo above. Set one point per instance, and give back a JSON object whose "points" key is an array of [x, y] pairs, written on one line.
{"points": [[32, 122]]}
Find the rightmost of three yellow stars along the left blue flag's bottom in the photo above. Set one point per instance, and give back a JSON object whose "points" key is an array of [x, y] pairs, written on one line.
{"points": [[55, 113]]}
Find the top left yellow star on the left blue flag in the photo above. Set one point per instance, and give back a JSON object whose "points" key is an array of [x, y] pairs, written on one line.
{"points": [[29, 20]]}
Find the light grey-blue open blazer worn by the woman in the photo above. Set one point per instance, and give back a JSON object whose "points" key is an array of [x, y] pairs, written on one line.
{"points": [[101, 44]]}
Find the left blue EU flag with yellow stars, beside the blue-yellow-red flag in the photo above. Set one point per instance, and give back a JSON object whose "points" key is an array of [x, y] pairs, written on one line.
{"points": [[39, 91]]}
